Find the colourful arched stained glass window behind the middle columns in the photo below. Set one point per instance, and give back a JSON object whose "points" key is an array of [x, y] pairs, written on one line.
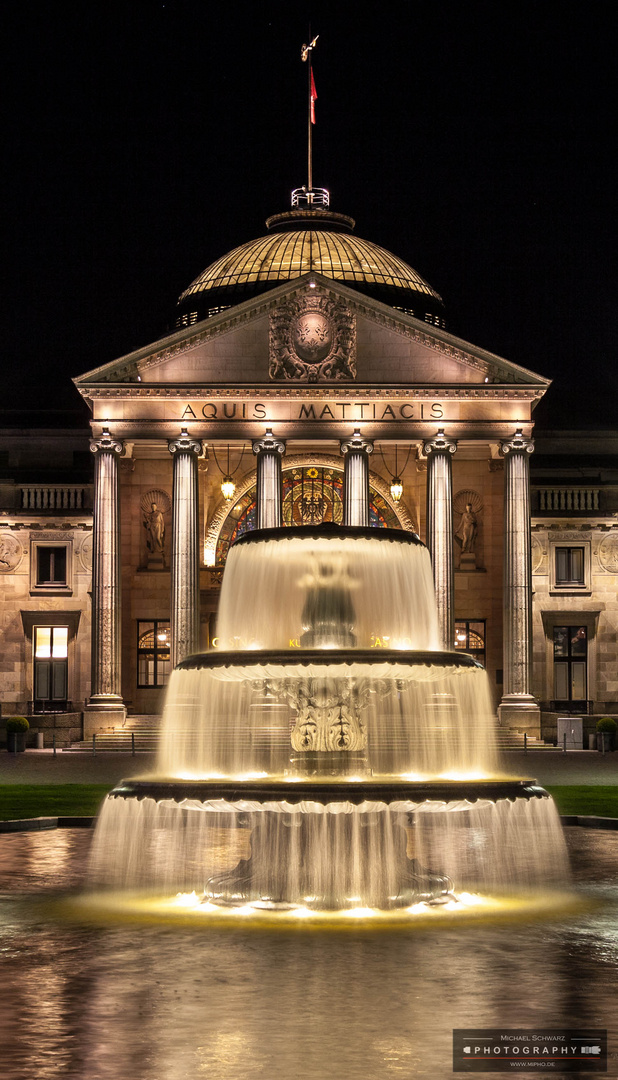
{"points": [[312, 495]]}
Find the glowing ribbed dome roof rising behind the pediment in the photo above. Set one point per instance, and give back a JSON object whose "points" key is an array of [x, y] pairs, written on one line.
{"points": [[301, 241]]}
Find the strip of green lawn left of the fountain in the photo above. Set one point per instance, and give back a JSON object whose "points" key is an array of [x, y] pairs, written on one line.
{"points": [[51, 801]]}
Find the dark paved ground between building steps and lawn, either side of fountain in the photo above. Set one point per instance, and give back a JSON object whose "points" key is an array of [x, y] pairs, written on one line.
{"points": [[42, 767]]}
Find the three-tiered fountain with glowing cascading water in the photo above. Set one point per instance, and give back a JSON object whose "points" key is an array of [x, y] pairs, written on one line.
{"points": [[329, 757]]}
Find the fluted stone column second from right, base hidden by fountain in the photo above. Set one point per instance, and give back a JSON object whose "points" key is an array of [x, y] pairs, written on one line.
{"points": [[439, 454]]}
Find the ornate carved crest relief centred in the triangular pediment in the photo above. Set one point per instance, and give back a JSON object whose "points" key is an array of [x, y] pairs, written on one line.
{"points": [[313, 337]]}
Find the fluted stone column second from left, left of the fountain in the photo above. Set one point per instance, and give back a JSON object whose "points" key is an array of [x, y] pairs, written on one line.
{"points": [[185, 564]]}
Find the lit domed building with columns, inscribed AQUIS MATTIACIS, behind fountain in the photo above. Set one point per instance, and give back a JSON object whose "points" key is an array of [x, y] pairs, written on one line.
{"points": [[295, 360]]}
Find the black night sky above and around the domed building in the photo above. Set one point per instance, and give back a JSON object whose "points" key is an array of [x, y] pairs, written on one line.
{"points": [[143, 141]]}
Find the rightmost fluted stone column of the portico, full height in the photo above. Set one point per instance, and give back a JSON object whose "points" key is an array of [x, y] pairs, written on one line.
{"points": [[518, 709]]}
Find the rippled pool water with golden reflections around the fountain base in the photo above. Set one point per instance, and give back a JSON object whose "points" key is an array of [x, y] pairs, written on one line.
{"points": [[137, 1002]]}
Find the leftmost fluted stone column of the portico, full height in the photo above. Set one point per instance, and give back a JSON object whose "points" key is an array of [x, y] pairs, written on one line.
{"points": [[105, 707]]}
